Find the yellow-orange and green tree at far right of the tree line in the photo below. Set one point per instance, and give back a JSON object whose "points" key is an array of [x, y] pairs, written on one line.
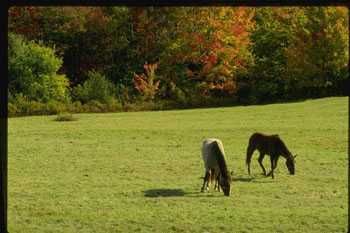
{"points": [[318, 57]]}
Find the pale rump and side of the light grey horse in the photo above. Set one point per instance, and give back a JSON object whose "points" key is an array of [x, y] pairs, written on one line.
{"points": [[209, 148]]}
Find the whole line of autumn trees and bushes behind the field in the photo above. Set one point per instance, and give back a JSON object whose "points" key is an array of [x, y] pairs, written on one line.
{"points": [[95, 59]]}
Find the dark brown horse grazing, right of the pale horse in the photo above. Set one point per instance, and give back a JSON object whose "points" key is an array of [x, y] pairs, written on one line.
{"points": [[271, 145]]}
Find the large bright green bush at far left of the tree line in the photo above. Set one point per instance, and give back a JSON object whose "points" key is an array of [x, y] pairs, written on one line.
{"points": [[33, 71]]}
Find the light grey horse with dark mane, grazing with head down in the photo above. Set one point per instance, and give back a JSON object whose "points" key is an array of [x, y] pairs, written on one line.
{"points": [[215, 165]]}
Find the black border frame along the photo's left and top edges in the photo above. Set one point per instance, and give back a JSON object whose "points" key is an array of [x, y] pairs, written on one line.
{"points": [[5, 5]]}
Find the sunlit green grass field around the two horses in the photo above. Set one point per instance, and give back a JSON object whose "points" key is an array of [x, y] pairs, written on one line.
{"points": [[141, 171]]}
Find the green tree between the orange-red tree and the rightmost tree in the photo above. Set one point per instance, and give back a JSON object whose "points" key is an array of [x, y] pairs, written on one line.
{"points": [[270, 39]]}
